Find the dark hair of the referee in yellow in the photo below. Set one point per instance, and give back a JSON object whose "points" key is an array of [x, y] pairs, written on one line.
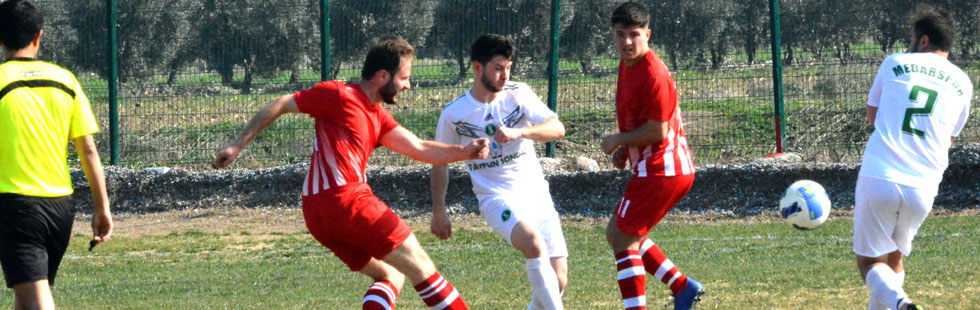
{"points": [[20, 21]]}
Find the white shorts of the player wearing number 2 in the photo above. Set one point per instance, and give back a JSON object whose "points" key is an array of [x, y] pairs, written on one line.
{"points": [[887, 216]]}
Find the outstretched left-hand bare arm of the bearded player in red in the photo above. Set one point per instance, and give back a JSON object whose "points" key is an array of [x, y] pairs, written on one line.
{"points": [[268, 114]]}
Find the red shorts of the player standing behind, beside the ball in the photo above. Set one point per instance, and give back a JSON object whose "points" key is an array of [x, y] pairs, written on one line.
{"points": [[648, 199]]}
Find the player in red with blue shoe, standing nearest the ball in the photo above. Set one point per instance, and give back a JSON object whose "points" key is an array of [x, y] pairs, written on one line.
{"points": [[652, 139]]}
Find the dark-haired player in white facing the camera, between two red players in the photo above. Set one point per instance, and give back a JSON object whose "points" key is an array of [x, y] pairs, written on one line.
{"points": [[511, 189]]}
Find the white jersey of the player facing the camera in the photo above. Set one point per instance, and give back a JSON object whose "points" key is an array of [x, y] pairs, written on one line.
{"points": [[512, 167]]}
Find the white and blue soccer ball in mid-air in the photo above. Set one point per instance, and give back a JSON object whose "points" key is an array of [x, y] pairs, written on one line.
{"points": [[805, 205]]}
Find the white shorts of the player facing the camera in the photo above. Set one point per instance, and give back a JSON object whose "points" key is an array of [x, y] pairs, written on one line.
{"points": [[503, 212]]}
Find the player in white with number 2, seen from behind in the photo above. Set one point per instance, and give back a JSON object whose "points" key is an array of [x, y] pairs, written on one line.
{"points": [[918, 104]]}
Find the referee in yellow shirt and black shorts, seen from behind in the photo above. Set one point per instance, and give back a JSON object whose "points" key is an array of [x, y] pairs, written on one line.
{"points": [[41, 107]]}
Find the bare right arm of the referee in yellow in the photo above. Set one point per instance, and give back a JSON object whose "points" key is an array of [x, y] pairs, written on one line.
{"points": [[88, 155]]}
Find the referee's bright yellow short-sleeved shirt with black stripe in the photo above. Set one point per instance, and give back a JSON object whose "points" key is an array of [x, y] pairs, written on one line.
{"points": [[42, 107]]}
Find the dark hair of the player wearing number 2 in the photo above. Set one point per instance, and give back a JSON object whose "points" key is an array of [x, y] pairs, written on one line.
{"points": [[937, 24]]}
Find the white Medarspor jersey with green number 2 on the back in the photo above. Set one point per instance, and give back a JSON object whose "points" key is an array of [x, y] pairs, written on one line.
{"points": [[923, 101]]}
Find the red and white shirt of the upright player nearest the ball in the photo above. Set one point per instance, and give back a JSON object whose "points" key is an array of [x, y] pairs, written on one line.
{"points": [[645, 92]]}
